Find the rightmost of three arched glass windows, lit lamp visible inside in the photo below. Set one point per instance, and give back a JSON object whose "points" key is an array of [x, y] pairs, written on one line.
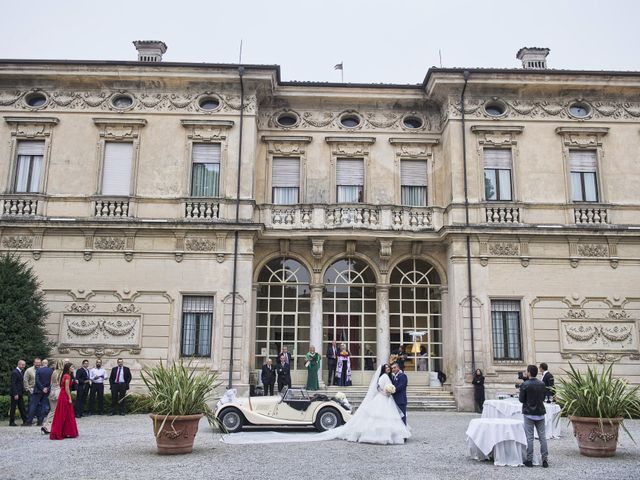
{"points": [[415, 315]]}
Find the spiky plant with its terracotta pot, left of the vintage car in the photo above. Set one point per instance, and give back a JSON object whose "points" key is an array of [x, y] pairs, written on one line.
{"points": [[179, 396]]}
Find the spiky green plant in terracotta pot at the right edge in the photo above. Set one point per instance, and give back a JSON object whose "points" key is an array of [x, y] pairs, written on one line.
{"points": [[596, 403]]}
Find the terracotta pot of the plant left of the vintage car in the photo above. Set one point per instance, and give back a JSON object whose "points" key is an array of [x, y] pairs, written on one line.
{"points": [[178, 432]]}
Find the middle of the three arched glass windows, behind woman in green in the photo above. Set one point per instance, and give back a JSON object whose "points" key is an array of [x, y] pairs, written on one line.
{"points": [[349, 310]]}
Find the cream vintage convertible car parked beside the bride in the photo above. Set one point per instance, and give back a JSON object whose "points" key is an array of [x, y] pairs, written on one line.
{"points": [[293, 407]]}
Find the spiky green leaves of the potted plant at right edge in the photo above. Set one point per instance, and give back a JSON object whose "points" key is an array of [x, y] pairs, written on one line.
{"points": [[597, 395]]}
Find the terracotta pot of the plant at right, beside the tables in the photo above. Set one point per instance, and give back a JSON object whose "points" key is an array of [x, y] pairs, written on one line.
{"points": [[593, 440]]}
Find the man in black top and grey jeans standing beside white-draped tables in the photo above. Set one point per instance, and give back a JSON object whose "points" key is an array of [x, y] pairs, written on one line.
{"points": [[532, 393]]}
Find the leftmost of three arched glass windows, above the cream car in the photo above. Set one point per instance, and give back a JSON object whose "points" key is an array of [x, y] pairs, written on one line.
{"points": [[282, 316]]}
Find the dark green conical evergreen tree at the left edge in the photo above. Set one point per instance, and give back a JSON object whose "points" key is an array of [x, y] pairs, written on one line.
{"points": [[22, 316]]}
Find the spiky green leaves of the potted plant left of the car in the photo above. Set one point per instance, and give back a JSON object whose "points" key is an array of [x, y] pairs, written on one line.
{"points": [[181, 389]]}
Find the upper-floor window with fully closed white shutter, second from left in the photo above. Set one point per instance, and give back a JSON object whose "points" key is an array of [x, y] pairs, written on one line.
{"points": [[116, 172]]}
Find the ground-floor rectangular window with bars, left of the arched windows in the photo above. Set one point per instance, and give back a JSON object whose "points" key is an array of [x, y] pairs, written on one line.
{"points": [[197, 324]]}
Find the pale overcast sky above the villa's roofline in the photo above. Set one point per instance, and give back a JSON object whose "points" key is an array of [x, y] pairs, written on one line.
{"points": [[377, 41]]}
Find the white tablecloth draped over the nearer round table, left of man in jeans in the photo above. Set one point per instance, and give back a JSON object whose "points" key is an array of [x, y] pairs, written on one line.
{"points": [[502, 437]]}
